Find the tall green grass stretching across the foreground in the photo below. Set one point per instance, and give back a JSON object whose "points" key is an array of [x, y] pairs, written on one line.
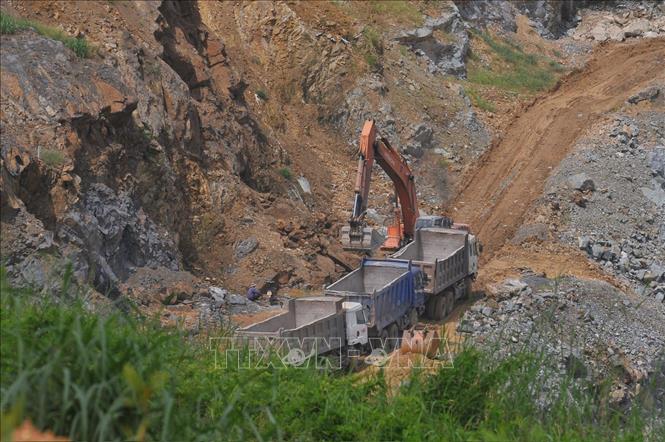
{"points": [[120, 377]]}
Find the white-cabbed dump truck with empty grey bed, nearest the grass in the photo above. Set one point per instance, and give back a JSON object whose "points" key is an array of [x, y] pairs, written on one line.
{"points": [[313, 325]]}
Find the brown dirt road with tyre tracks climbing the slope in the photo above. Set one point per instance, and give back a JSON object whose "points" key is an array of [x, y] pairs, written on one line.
{"points": [[495, 198]]}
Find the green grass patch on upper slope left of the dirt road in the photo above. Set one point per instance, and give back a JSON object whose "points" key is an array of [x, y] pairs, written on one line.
{"points": [[525, 72]]}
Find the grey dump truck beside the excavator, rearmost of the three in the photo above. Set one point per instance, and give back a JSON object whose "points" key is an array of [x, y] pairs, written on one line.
{"points": [[449, 258]]}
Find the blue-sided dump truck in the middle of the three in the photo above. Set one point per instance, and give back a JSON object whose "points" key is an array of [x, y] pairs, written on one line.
{"points": [[391, 294]]}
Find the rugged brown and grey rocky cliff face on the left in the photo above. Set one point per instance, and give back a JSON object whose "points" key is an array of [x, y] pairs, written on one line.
{"points": [[144, 155]]}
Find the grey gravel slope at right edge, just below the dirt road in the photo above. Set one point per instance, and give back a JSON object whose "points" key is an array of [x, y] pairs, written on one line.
{"points": [[610, 194]]}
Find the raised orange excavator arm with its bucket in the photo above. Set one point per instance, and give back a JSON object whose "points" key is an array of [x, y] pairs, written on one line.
{"points": [[356, 236]]}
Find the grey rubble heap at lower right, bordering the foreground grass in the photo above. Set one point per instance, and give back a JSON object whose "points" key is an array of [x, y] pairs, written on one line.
{"points": [[586, 329]]}
